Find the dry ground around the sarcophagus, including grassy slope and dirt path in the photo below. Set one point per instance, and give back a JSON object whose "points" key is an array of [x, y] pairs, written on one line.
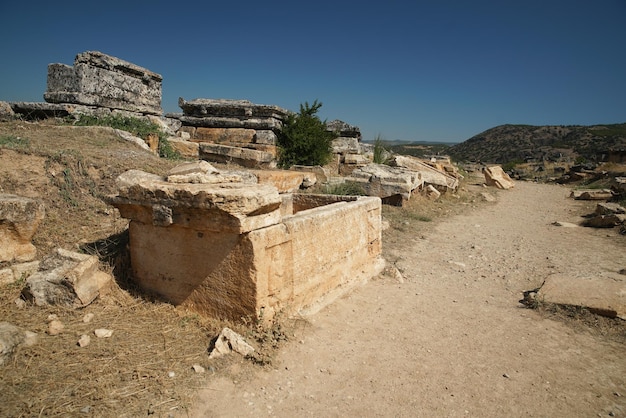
{"points": [[447, 338]]}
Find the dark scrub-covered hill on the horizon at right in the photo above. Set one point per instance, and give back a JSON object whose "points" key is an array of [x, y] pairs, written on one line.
{"points": [[509, 143]]}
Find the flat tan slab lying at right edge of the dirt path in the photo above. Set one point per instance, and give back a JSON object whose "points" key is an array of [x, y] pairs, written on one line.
{"points": [[604, 294]]}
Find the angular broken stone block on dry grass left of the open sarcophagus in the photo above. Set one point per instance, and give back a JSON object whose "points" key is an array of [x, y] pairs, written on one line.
{"points": [[66, 278]]}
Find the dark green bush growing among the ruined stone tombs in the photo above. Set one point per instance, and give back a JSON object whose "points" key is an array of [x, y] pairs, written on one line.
{"points": [[304, 139]]}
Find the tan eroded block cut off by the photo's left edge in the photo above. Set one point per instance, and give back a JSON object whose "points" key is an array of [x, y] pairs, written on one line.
{"points": [[19, 219]]}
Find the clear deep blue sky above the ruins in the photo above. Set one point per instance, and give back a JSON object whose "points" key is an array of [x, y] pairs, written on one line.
{"points": [[440, 70]]}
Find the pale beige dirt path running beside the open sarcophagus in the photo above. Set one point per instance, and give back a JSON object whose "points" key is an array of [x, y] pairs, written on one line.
{"points": [[452, 339]]}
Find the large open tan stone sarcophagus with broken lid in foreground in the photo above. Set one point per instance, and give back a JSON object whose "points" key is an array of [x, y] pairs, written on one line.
{"points": [[229, 248]]}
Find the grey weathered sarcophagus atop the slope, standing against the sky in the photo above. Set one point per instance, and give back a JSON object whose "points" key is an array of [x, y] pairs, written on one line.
{"points": [[97, 79]]}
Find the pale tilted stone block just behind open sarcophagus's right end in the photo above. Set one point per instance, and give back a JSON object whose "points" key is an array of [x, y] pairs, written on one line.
{"points": [[384, 181]]}
